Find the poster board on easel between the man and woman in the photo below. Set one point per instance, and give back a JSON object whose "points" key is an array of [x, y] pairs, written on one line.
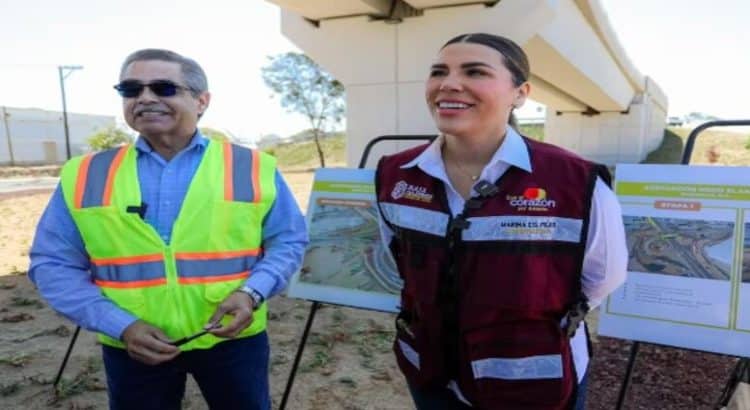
{"points": [[346, 262]]}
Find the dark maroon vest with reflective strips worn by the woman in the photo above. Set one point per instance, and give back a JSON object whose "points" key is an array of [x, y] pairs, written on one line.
{"points": [[485, 292]]}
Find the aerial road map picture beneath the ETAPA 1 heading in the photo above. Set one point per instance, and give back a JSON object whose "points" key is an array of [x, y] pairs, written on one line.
{"points": [[680, 247]]}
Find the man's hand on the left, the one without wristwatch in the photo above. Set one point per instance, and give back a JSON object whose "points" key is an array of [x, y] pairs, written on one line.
{"points": [[148, 344]]}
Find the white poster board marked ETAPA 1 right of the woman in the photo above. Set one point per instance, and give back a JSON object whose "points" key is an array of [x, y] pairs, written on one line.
{"points": [[688, 281]]}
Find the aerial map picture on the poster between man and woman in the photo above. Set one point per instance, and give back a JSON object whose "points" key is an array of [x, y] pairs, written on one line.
{"points": [[345, 248]]}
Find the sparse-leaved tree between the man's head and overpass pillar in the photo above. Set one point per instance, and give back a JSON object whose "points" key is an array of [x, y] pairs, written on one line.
{"points": [[306, 89]]}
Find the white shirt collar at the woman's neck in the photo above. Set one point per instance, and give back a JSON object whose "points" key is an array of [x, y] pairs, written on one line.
{"points": [[513, 151]]}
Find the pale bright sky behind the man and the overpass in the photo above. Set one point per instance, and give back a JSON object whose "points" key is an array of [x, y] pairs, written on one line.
{"points": [[698, 51]]}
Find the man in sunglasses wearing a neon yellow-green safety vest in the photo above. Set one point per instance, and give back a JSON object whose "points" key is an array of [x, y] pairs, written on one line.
{"points": [[169, 248]]}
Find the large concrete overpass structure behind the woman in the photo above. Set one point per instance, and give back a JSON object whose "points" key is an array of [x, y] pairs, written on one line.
{"points": [[598, 103]]}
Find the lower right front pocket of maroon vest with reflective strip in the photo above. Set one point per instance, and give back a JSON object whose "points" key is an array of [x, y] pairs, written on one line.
{"points": [[520, 365]]}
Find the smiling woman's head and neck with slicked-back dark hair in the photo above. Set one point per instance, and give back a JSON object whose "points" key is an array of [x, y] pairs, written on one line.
{"points": [[472, 91]]}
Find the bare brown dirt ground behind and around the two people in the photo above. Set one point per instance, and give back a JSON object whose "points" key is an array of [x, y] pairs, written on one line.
{"points": [[347, 362]]}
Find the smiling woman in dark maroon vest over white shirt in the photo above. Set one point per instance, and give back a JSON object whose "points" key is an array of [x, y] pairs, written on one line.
{"points": [[533, 236]]}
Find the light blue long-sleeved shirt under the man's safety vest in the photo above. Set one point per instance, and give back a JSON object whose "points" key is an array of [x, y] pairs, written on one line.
{"points": [[60, 263]]}
